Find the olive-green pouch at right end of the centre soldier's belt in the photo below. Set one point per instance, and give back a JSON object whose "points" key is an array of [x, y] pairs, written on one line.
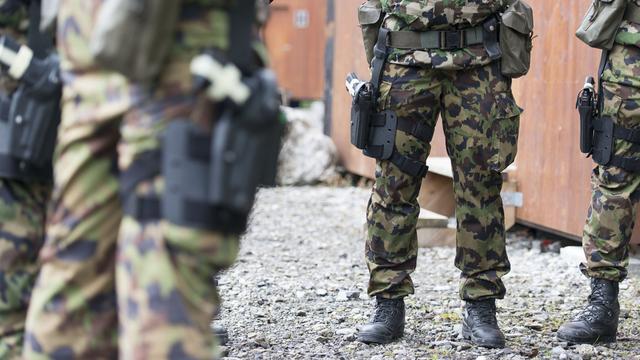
{"points": [[516, 40]]}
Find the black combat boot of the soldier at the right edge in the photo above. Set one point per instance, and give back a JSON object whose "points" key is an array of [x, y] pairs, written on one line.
{"points": [[598, 322]]}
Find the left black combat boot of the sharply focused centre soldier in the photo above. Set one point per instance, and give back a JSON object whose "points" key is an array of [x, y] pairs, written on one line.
{"points": [[387, 323]]}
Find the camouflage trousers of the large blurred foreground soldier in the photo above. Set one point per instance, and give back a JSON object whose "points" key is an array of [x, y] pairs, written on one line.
{"points": [[113, 287]]}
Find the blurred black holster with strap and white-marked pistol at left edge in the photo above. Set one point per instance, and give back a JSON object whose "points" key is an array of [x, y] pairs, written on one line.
{"points": [[31, 114]]}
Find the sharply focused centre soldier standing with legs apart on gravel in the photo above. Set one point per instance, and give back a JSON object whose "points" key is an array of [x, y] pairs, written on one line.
{"points": [[440, 58]]}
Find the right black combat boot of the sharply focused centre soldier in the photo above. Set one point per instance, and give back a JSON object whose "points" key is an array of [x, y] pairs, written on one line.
{"points": [[479, 324]]}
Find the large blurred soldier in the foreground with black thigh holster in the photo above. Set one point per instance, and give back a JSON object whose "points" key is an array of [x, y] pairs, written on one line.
{"points": [[156, 272]]}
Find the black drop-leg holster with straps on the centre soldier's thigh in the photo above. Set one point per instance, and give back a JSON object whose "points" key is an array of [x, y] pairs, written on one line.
{"points": [[375, 132]]}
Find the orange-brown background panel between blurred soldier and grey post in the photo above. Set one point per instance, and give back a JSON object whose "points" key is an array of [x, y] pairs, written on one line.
{"points": [[296, 38]]}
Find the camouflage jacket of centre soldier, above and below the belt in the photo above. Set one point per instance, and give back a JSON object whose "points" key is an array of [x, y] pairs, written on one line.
{"points": [[426, 15]]}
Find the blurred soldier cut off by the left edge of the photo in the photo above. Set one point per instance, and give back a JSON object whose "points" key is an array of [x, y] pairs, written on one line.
{"points": [[23, 199]]}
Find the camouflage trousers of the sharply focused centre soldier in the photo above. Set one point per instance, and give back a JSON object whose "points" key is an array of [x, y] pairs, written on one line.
{"points": [[481, 121]]}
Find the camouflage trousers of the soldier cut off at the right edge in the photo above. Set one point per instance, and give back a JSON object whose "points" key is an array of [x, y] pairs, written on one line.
{"points": [[615, 191]]}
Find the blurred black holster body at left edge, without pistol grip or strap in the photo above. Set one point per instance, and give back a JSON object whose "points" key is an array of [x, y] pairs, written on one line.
{"points": [[28, 124]]}
